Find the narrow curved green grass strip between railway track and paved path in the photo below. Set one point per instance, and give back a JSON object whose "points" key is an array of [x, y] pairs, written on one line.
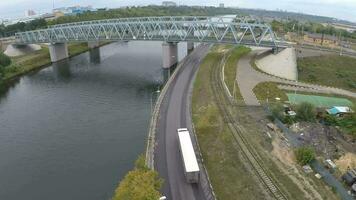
{"points": [[231, 66]]}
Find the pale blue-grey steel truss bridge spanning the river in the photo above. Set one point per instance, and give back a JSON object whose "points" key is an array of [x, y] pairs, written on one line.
{"points": [[169, 29]]}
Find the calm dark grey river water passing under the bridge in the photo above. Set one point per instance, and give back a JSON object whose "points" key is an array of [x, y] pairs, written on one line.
{"points": [[72, 130]]}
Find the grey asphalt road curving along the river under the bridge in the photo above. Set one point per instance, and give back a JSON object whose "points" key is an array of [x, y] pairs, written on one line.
{"points": [[174, 114]]}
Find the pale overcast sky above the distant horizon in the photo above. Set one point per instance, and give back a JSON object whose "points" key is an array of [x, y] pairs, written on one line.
{"points": [[341, 9]]}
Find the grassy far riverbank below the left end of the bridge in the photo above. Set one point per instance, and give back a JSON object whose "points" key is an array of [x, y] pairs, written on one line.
{"points": [[24, 64]]}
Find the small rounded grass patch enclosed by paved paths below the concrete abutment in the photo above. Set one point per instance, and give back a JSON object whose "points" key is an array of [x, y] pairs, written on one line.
{"points": [[270, 91]]}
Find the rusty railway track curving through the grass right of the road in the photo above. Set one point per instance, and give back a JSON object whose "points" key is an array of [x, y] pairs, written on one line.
{"points": [[224, 102]]}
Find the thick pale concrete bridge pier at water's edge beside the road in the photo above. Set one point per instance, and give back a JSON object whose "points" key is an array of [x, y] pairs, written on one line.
{"points": [[170, 54]]}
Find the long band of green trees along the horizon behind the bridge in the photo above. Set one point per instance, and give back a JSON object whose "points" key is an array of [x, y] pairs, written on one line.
{"points": [[290, 25]]}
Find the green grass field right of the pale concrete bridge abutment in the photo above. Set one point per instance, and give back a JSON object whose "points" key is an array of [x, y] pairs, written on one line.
{"points": [[331, 70]]}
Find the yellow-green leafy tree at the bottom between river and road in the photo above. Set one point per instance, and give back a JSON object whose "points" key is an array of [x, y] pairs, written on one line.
{"points": [[139, 184]]}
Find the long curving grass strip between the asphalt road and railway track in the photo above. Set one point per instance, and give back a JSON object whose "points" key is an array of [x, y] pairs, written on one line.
{"points": [[229, 177]]}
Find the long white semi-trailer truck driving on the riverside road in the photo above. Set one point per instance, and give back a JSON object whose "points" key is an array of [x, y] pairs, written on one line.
{"points": [[191, 167]]}
